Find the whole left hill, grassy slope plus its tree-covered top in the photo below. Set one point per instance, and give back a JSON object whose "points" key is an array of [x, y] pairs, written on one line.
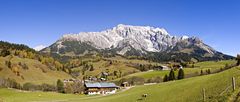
{"points": [[23, 64]]}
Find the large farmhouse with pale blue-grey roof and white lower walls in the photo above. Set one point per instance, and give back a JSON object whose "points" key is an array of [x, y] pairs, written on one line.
{"points": [[94, 88]]}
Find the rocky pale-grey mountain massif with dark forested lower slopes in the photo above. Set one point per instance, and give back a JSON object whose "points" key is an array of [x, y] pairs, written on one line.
{"points": [[141, 41]]}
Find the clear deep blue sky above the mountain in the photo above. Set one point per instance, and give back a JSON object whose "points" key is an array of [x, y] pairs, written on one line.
{"points": [[42, 22]]}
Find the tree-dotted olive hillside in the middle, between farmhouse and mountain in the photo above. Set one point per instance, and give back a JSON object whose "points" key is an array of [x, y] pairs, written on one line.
{"points": [[120, 65]]}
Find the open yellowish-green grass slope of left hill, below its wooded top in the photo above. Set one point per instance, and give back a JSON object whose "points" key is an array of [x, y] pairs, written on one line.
{"points": [[37, 73]]}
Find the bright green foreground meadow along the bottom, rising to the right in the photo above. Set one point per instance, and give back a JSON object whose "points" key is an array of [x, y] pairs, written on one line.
{"points": [[187, 90]]}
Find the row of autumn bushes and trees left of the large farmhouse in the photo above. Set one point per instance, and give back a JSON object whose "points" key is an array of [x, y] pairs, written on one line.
{"points": [[69, 87]]}
